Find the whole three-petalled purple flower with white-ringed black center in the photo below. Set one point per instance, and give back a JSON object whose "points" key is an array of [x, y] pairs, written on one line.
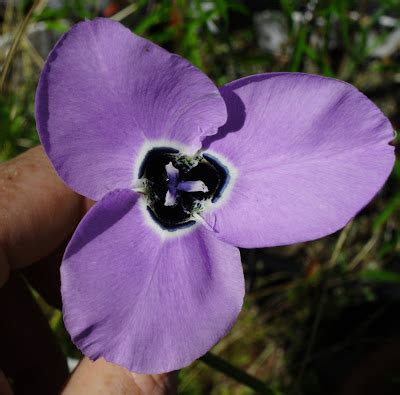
{"points": [[184, 174]]}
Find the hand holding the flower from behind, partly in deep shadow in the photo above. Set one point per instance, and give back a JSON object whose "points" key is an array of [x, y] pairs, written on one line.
{"points": [[38, 214]]}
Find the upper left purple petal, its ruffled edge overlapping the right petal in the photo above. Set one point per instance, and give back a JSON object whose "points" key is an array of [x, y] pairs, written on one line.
{"points": [[104, 91]]}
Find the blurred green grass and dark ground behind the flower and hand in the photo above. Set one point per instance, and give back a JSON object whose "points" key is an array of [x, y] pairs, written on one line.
{"points": [[320, 317]]}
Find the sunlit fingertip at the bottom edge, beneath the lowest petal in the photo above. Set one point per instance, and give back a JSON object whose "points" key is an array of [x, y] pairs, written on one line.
{"points": [[101, 377]]}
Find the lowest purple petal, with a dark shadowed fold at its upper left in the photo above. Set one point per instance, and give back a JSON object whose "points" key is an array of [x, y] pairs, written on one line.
{"points": [[147, 304]]}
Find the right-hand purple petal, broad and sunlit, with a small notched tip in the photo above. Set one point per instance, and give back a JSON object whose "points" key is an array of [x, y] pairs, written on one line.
{"points": [[309, 151]]}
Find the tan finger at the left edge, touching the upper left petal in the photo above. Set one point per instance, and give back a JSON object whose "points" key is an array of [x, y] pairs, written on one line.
{"points": [[37, 211]]}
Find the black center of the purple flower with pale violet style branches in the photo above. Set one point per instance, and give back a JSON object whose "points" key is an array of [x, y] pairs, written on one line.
{"points": [[178, 186]]}
